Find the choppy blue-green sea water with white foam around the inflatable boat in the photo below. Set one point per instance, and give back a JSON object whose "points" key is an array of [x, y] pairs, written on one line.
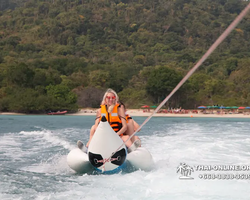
{"points": [[33, 151]]}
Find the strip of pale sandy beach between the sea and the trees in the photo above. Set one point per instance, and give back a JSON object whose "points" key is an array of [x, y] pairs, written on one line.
{"points": [[141, 113]]}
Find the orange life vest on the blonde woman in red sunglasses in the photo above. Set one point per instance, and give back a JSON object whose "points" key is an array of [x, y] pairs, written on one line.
{"points": [[113, 117]]}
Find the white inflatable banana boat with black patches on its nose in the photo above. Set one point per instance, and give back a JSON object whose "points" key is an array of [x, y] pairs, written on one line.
{"points": [[108, 154]]}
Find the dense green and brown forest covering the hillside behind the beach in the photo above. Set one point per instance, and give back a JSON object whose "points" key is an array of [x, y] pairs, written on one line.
{"points": [[63, 54]]}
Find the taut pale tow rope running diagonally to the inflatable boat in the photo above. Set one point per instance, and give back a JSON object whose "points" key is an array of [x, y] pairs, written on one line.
{"points": [[204, 57]]}
